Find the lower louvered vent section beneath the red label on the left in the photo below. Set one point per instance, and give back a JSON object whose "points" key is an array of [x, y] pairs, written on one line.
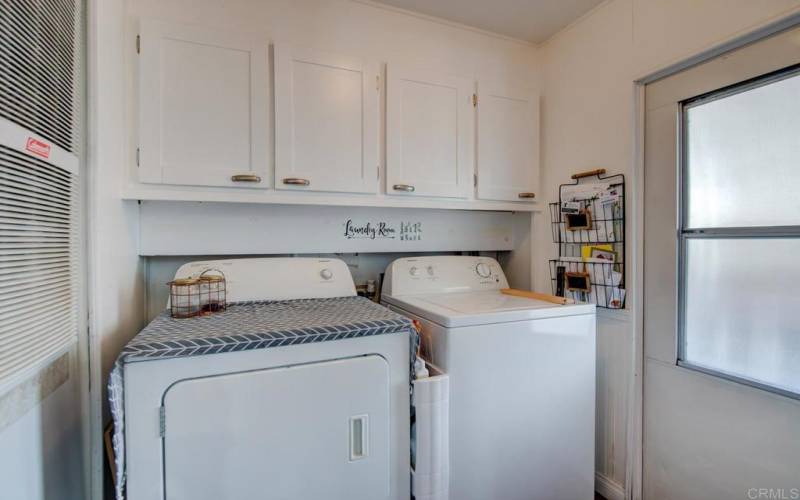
{"points": [[38, 260]]}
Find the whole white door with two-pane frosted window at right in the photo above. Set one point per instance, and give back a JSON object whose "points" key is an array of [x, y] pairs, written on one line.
{"points": [[721, 235]]}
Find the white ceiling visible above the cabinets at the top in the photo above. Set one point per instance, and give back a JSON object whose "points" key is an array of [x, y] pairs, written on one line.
{"points": [[531, 20]]}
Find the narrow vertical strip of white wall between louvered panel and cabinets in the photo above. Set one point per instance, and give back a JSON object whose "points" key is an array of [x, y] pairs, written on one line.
{"points": [[115, 269]]}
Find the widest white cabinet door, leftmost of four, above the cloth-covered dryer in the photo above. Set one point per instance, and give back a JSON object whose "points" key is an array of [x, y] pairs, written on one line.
{"points": [[203, 107]]}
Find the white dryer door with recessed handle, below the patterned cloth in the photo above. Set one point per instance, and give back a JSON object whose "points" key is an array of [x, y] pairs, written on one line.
{"points": [[313, 431]]}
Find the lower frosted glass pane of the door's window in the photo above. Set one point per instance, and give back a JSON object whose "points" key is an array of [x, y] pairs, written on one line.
{"points": [[741, 305]]}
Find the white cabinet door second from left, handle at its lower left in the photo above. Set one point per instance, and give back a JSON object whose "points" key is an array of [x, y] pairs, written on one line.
{"points": [[326, 122]]}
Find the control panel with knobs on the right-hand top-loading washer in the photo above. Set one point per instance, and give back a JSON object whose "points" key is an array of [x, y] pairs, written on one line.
{"points": [[446, 273]]}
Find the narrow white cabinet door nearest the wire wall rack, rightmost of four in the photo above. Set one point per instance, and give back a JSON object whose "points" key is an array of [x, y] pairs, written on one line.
{"points": [[508, 143]]}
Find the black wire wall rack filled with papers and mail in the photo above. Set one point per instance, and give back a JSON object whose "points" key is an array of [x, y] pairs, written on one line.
{"points": [[588, 226]]}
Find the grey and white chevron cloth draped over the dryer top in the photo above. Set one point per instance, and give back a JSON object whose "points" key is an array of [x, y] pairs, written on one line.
{"points": [[245, 326]]}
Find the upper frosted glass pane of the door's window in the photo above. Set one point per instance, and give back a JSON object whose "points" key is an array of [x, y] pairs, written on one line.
{"points": [[743, 154]]}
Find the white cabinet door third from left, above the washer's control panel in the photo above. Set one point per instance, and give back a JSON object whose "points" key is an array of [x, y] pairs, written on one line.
{"points": [[429, 134]]}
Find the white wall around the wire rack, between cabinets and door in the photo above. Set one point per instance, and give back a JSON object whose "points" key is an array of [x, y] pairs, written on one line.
{"points": [[588, 122]]}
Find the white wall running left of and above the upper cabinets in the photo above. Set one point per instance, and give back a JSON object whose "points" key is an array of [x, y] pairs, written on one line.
{"points": [[117, 272]]}
